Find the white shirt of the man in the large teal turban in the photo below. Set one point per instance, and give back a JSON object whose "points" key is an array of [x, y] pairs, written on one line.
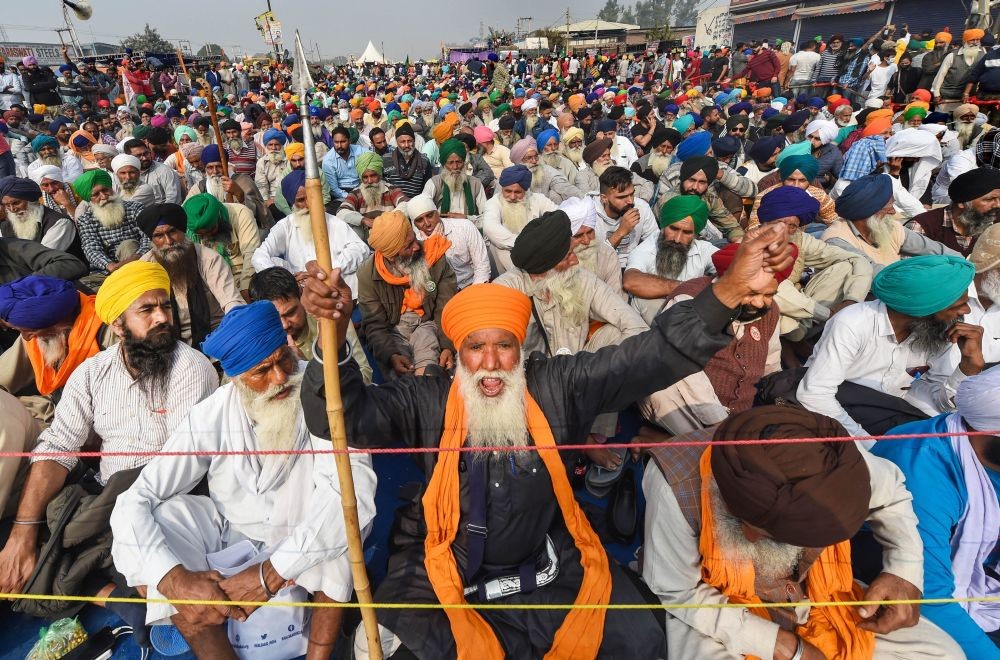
{"points": [[859, 346]]}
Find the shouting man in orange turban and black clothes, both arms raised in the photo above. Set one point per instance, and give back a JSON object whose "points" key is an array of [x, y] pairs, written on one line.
{"points": [[504, 526]]}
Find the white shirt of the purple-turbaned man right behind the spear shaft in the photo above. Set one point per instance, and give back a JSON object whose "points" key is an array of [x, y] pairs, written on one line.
{"points": [[286, 246]]}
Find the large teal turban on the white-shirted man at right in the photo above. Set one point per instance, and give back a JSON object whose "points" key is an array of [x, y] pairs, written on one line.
{"points": [[925, 285]]}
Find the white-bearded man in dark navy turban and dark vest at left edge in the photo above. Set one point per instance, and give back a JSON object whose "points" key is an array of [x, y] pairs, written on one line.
{"points": [[29, 220]]}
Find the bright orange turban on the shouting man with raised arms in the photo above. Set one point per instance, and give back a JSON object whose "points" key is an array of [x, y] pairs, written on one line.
{"points": [[486, 306]]}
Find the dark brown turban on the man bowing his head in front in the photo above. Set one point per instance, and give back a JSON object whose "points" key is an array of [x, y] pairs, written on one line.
{"points": [[811, 494]]}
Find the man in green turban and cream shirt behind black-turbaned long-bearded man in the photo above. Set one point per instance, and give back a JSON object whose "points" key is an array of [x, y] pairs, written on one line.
{"points": [[229, 229]]}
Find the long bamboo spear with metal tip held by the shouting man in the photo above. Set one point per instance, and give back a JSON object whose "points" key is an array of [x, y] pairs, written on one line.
{"points": [[331, 373]]}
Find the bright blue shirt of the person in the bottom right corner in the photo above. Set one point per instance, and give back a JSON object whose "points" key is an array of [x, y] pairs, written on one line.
{"points": [[934, 476]]}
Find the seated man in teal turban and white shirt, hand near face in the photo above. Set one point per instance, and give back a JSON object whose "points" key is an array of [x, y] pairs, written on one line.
{"points": [[879, 347]]}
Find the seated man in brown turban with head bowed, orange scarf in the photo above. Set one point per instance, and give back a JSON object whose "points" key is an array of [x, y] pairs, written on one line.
{"points": [[719, 532]]}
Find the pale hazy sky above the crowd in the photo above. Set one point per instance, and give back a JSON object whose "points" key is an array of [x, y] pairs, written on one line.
{"points": [[405, 28]]}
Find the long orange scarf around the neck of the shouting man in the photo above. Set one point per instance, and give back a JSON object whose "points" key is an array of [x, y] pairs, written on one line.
{"points": [[583, 629]]}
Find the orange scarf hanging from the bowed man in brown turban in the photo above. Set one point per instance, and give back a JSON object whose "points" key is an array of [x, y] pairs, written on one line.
{"points": [[833, 630]]}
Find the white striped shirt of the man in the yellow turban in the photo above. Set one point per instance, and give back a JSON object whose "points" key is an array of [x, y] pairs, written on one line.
{"points": [[102, 399]]}
